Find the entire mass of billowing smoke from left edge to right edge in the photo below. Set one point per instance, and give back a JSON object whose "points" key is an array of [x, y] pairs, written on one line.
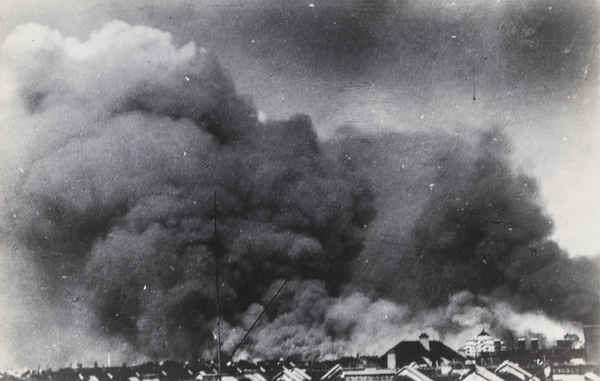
{"points": [[114, 146]]}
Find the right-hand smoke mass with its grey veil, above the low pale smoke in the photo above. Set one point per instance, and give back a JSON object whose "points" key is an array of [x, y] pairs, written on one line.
{"points": [[455, 216]]}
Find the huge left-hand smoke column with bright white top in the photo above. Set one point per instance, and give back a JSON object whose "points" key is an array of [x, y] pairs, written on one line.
{"points": [[129, 137]]}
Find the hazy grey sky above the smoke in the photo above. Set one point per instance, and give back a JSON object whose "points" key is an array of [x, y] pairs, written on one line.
{"points": [[403, 65]]}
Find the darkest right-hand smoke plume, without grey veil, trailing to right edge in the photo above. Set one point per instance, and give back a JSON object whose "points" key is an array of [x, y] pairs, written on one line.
{"points": [[484, 231]]}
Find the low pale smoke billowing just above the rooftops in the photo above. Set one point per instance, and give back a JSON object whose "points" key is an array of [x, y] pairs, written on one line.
{"points": [[310, 324]]}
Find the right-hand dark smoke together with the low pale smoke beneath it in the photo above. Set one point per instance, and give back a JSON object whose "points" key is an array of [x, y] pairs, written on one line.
{"points": [[460, 243]]}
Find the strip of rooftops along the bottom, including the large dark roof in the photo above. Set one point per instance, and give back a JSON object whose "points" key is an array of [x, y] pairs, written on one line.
{"points": [[422, 360]]}
